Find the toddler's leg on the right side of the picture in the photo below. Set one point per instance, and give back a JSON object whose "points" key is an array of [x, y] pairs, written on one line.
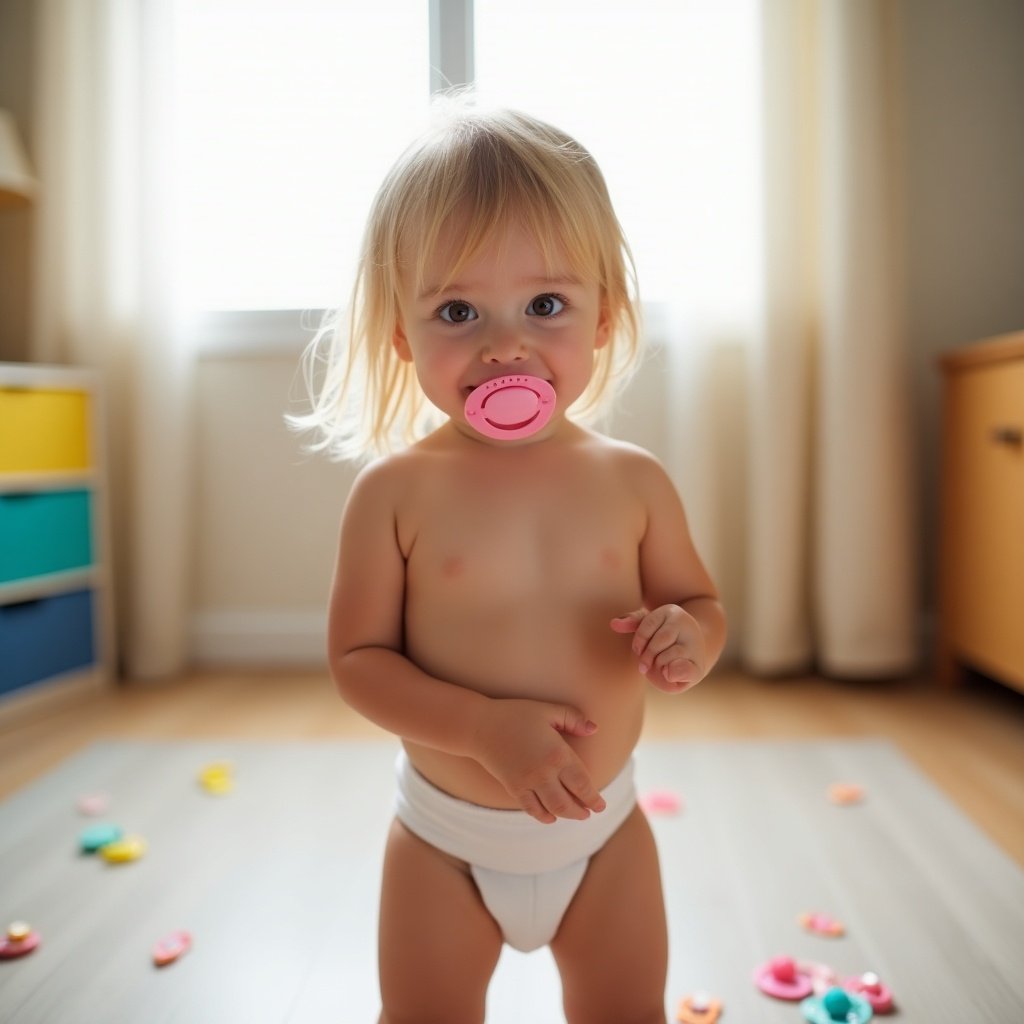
{"points": [[612, 949]]}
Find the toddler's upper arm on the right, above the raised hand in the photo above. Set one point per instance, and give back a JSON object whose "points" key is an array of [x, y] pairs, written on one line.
{"points": [[671, 569]]}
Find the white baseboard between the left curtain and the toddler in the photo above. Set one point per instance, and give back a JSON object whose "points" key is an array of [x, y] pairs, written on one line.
{"points": [[244, 637]]}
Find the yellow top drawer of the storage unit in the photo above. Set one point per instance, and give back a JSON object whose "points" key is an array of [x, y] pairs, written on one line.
{"points": [[44, 432]]}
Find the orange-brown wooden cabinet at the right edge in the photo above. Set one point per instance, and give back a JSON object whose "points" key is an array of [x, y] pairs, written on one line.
{"points": [[983, 515]]}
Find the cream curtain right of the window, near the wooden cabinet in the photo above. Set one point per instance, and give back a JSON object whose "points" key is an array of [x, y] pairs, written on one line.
{"points": [[821, 570]]}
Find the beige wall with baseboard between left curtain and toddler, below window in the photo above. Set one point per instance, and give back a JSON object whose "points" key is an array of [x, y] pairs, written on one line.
{"points": [[268, 518]]}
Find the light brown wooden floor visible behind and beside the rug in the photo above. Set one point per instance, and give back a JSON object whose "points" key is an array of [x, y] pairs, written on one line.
{"points": [[970, 741]]}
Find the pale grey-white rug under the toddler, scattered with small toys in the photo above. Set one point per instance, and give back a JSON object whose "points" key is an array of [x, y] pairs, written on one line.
{"points": [[278, 883]]}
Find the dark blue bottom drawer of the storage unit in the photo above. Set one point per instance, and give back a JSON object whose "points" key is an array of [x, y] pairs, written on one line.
{"points": [[47, 637]]}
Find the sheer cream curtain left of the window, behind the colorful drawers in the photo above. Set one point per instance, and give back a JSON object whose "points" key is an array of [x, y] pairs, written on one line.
{"points": [[105, 295]]}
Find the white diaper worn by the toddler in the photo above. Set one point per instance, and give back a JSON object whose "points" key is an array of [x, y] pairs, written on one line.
{"points": [[527, 872]]}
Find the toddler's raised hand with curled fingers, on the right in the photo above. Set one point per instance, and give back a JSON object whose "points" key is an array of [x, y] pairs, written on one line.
{"points": [[670, 645]]}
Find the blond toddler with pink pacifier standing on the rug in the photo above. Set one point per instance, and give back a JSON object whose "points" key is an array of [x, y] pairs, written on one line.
{"points": [[509, 582]]}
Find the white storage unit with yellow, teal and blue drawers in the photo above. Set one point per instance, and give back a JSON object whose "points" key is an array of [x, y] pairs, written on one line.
{"points": [[55, 625]]}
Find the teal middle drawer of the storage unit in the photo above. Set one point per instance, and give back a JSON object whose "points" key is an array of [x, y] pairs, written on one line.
{"points": [[44, 533]]}
